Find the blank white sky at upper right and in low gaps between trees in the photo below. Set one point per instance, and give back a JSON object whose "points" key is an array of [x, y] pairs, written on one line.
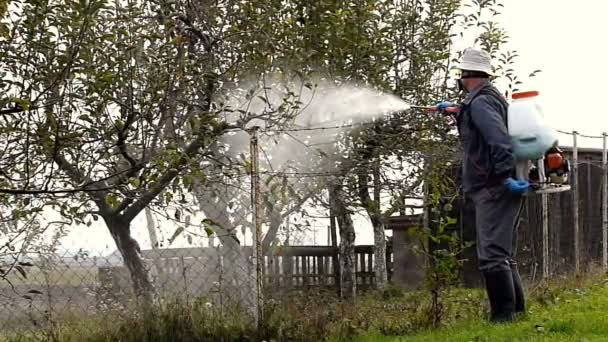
{"points": [[564, 39]]}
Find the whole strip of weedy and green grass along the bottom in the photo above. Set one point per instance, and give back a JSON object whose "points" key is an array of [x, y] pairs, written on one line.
{"points": [[564, 310]]}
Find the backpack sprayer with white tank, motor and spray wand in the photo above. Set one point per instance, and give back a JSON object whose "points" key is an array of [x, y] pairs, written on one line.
{"points": [[535, 145]]}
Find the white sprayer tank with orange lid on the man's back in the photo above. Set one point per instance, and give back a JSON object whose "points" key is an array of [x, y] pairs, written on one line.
{"points": [[530, 134]]}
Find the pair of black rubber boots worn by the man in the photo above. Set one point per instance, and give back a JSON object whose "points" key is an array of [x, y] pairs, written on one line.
{"points": [[501, 294]]}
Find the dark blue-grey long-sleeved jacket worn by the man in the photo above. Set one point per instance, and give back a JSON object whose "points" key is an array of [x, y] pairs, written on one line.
{"points": [[488, 154]]}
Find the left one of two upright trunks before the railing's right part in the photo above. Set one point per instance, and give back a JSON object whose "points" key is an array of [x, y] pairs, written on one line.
{"points": [[348, 276]]}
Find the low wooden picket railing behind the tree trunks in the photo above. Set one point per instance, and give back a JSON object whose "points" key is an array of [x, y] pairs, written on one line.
{"points": [[199, 270]]}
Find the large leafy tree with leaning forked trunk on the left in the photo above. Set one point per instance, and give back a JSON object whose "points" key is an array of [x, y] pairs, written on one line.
{"points": [[117, 105]]}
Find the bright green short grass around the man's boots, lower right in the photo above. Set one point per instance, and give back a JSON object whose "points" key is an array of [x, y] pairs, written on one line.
{"points": [[576, 315]]}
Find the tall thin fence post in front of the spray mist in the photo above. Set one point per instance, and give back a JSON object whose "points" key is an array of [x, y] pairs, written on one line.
{"points": [[257, 224]]}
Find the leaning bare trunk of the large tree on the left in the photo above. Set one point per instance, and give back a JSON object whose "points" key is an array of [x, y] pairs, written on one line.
{"points": [[133, 260]]}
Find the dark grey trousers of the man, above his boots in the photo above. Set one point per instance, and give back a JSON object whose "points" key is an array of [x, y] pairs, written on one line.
{"points": [[497, 216]]}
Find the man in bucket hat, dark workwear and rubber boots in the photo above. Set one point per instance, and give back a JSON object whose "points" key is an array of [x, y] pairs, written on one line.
{"points": [[488, 179]]}
